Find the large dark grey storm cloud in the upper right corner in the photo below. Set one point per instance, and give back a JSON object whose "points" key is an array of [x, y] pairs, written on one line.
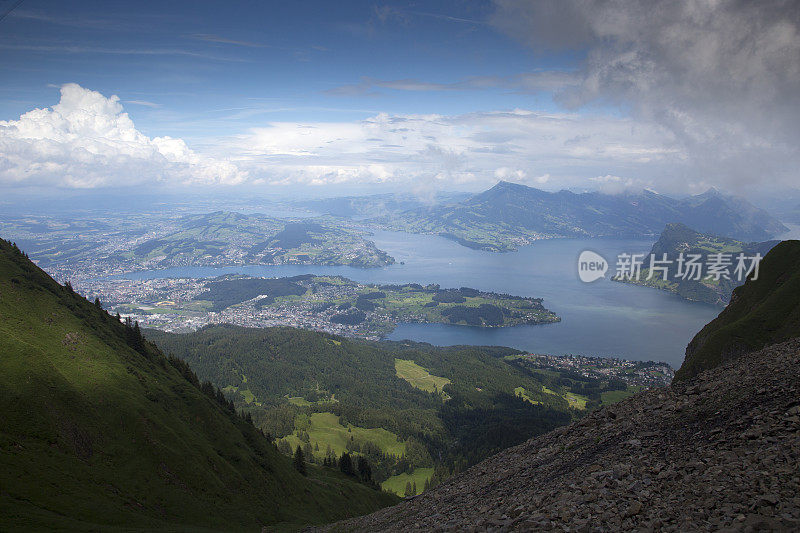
{"points": [[723, 75]]}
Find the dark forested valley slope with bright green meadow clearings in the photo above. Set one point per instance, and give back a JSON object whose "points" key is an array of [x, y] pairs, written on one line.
{"points": [[410, 409]]}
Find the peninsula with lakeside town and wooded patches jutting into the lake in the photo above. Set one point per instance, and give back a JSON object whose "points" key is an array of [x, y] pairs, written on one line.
{"points": [[332, 304]]}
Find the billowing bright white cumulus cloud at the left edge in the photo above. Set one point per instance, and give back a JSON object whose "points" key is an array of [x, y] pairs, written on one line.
{"points": [[87, 140]]}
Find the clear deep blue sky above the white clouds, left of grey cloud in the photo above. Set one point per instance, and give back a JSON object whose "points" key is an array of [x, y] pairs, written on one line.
{"points": [[193, 69]]}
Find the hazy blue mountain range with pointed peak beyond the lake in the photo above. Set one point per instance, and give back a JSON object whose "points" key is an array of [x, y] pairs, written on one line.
{"points": [[509, 215]]}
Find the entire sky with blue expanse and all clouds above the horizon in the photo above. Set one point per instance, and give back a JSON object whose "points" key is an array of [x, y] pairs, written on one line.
{"points": [[402, 96]]}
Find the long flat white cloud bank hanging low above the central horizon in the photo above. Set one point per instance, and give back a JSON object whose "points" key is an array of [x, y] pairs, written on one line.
{"points": [[473, 149]]}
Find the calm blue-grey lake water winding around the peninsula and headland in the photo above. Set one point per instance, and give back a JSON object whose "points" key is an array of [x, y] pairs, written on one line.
{"points": [[601, 318]]}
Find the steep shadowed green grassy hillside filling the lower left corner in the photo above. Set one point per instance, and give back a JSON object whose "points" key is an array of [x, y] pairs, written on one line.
{"points": [[100, 431]]}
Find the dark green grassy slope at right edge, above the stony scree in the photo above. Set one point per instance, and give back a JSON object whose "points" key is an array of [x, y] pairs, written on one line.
{"points": [[761, 312]]}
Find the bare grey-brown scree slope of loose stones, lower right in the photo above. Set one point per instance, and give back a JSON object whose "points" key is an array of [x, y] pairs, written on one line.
{"points": [[719, 451]]}
